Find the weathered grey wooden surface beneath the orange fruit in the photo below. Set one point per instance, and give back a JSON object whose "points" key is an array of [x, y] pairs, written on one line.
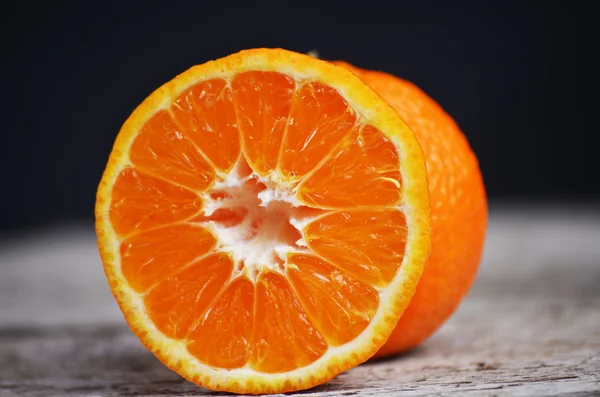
{"points": [[531, 325]]}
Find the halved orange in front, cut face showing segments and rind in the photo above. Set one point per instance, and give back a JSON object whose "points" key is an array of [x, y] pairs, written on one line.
{"points": [[263, 221]]}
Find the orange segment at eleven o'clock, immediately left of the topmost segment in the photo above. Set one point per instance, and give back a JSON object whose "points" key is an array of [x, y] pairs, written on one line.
{"points": [[206, 115]]}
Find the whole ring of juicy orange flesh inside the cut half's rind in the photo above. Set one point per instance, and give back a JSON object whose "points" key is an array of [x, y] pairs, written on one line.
{"points": [[346, 173]]}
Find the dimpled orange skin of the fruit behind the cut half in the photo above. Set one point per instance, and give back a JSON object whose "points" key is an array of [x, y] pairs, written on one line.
{"points": [[458, 210]]}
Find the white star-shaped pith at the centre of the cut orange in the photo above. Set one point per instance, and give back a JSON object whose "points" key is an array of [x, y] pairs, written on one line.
{"points": [[266, 247]]}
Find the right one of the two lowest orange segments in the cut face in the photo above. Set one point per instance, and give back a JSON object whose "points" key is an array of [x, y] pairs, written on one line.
{"points": [[284, 336]]}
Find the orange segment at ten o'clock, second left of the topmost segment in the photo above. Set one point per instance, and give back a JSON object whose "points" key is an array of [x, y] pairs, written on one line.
{"points": [[161, 149]]}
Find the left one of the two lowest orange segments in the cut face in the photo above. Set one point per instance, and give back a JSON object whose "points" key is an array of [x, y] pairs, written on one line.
{"points": [[223, 335]]}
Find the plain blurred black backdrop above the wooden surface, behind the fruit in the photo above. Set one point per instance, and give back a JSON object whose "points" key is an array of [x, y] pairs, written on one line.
{"points": [[517, 76]]}
